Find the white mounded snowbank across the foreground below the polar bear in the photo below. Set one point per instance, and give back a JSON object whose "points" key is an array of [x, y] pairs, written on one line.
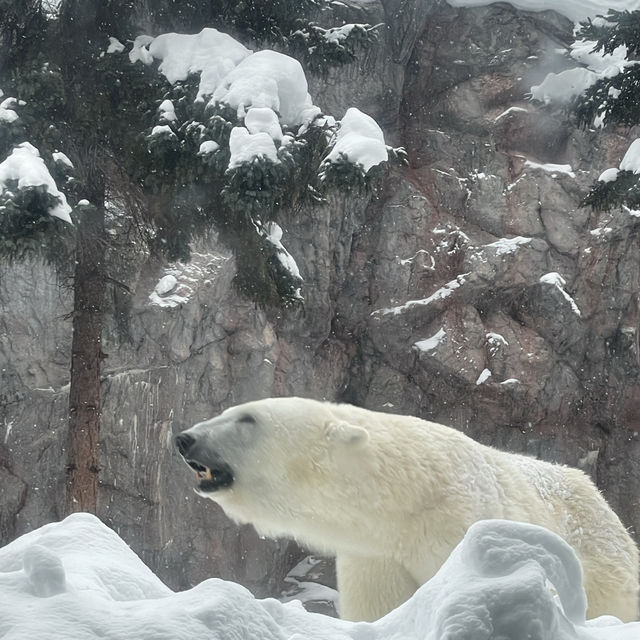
{"points": [[78, 580]]}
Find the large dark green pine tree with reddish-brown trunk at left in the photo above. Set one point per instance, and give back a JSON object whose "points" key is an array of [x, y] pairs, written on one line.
{"points": [[101, 129]]}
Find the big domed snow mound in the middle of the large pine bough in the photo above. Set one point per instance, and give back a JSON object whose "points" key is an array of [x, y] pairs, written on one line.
{"points": [[268, 79]]}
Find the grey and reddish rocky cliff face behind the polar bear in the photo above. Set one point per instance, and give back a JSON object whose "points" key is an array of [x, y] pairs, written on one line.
{"points": [[469, 289]]}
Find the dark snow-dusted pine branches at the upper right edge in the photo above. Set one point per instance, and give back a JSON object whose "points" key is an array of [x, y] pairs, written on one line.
{"points": [[613, 100]]}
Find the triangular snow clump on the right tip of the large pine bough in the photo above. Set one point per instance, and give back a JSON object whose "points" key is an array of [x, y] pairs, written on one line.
{"points": [[360, 139]]}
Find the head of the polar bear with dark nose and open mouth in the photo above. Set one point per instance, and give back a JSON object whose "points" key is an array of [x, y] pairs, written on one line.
{"points": [[289, 466]]}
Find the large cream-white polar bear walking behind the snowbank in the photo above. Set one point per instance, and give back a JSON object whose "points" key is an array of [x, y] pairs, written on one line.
{"points": [[391, 496]]}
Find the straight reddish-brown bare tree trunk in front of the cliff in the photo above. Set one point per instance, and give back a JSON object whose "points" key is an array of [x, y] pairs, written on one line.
{"points": [[86, 356]]}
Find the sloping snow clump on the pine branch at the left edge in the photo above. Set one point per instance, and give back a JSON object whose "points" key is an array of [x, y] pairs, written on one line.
{"points": [[25, 167]]}
